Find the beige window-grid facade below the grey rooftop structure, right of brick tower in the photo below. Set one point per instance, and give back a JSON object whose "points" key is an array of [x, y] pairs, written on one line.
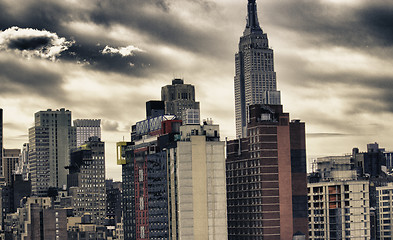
{"points": [[339, 210]]}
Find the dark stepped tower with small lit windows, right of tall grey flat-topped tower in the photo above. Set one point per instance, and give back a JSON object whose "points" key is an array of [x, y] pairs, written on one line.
{"points": [[86, 180]]}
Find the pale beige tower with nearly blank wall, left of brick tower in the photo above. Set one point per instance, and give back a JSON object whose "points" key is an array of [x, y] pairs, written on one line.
{"points": [[197, 185]]}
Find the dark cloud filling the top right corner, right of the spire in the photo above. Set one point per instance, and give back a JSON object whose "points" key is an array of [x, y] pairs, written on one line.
{"points": [[362, 27]]}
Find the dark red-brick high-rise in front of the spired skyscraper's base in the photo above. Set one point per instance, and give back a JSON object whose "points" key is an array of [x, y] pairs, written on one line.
{"points": [[266, 178]]}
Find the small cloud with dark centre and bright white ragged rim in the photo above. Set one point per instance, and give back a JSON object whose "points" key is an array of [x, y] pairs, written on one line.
{"points": [[32, 42]]}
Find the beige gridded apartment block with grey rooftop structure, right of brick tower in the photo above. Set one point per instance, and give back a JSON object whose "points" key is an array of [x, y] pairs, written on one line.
{"points": [[338, 202]]}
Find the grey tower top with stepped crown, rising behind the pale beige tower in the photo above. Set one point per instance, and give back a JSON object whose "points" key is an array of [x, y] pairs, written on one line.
{"points": [[179, 97]]}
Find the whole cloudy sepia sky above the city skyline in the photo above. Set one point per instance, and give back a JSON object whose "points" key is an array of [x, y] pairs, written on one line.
{"points": [[106, 58]]}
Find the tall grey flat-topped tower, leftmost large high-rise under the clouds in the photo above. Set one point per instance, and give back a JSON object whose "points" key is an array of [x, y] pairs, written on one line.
{"points": [[50, 142]]}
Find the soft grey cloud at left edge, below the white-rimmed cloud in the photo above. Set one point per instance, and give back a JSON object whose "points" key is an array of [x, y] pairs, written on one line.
{"points": [[18, 77]]}
